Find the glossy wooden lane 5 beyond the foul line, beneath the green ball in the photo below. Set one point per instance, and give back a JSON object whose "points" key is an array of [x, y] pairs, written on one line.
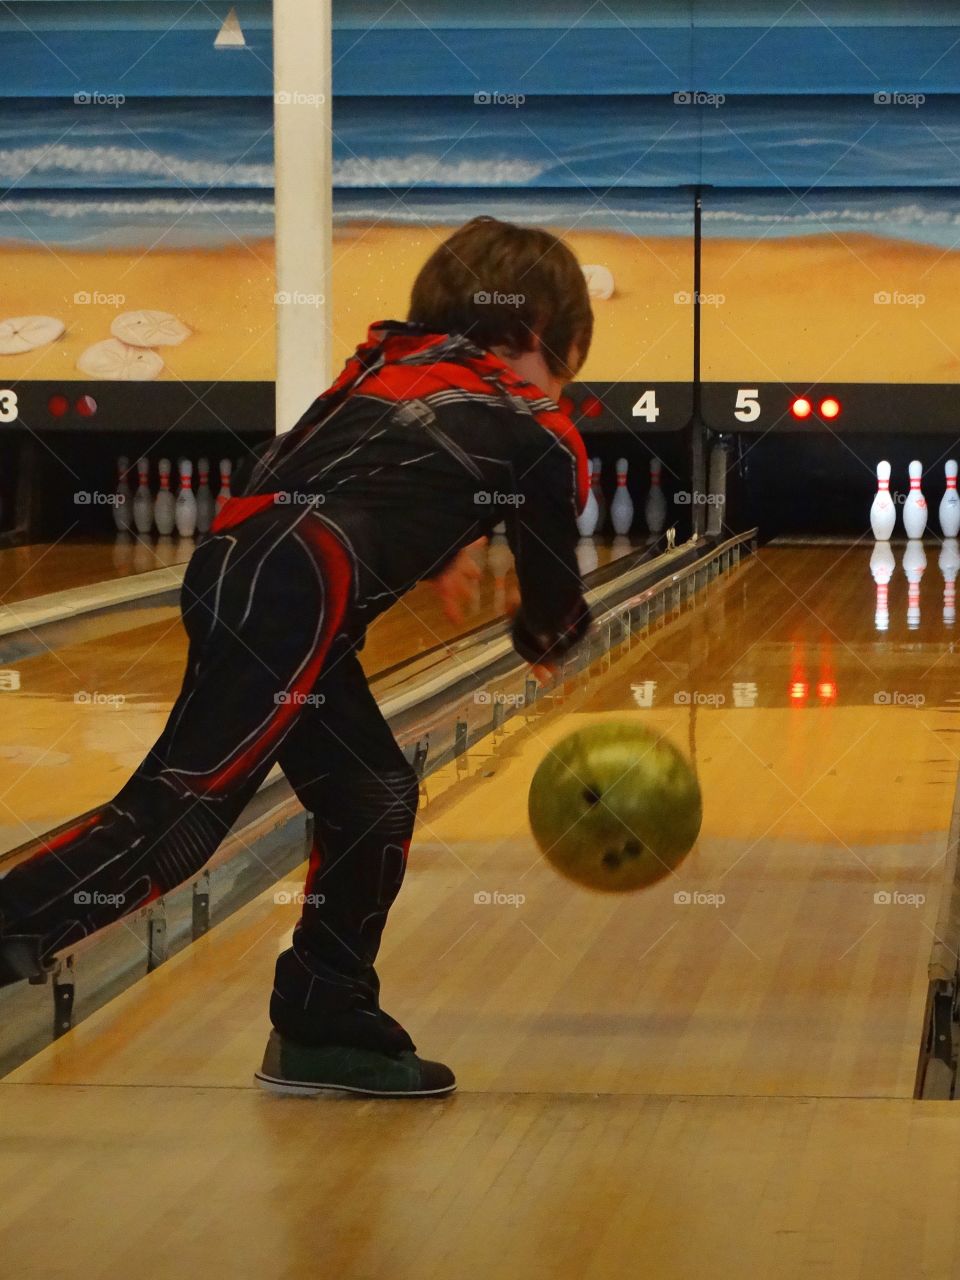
{"points": [[767, 966]]}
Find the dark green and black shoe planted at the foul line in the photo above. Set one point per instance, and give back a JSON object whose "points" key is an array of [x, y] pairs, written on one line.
{"points": [[305, 1071]]}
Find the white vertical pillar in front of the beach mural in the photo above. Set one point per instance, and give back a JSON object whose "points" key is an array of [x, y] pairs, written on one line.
{"points": [[304, 186]]}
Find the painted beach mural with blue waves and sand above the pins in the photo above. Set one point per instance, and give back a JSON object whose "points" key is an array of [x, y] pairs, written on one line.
{"points": [[136, 223]]}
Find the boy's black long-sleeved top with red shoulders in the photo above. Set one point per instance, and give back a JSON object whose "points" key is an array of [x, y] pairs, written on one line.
{"points": [[424, 444]]}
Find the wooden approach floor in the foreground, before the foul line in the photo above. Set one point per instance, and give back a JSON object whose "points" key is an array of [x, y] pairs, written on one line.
{"points": [[163, 1183]]}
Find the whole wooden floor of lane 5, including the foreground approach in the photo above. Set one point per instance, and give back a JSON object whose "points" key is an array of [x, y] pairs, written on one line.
{"points": [[648, 1087]]}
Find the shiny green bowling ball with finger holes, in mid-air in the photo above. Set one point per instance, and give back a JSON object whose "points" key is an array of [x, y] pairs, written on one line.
{"points": [[615, 807]]}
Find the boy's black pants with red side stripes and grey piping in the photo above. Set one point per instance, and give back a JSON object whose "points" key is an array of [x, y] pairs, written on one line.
{"points": [[272, 676]]}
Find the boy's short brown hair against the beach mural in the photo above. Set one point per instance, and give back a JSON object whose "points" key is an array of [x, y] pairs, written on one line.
{"points": [[500, 285]]}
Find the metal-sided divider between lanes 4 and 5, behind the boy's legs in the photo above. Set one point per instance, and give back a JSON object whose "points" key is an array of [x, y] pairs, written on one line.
{"points": [[437, 715]]}
